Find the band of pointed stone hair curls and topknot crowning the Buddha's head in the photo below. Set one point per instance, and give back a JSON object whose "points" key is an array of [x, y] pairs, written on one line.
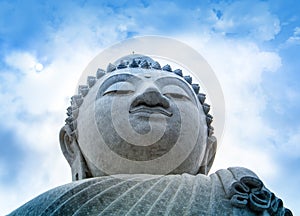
{"points": [[131, 61]]}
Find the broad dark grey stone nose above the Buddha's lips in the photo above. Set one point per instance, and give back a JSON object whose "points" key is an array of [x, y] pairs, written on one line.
{"points": [[152, 97]]}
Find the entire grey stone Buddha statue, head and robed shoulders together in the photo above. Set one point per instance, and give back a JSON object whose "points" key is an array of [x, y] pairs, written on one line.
{"points": [[139, 141]]}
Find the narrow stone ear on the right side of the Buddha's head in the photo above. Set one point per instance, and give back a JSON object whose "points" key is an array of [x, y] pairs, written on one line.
{"points": [[211, 149]]}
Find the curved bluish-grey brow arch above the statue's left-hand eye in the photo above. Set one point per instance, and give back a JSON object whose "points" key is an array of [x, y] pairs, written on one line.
{"points": [[115, 79]]}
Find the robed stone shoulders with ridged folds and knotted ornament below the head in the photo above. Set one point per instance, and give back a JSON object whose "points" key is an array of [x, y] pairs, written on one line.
{"points": [[232, 191]]}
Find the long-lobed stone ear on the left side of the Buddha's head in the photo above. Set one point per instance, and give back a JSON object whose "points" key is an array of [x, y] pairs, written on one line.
{"points": [[72, 153]]}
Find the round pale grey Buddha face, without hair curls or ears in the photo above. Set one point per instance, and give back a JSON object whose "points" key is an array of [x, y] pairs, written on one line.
{"points": [[142, 121]]}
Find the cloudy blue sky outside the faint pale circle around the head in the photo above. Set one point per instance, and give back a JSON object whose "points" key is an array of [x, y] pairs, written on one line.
{"points": [[253, 47]]}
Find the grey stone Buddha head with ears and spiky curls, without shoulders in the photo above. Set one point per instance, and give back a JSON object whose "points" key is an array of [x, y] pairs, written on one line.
{"points": [[138, 118]]}
